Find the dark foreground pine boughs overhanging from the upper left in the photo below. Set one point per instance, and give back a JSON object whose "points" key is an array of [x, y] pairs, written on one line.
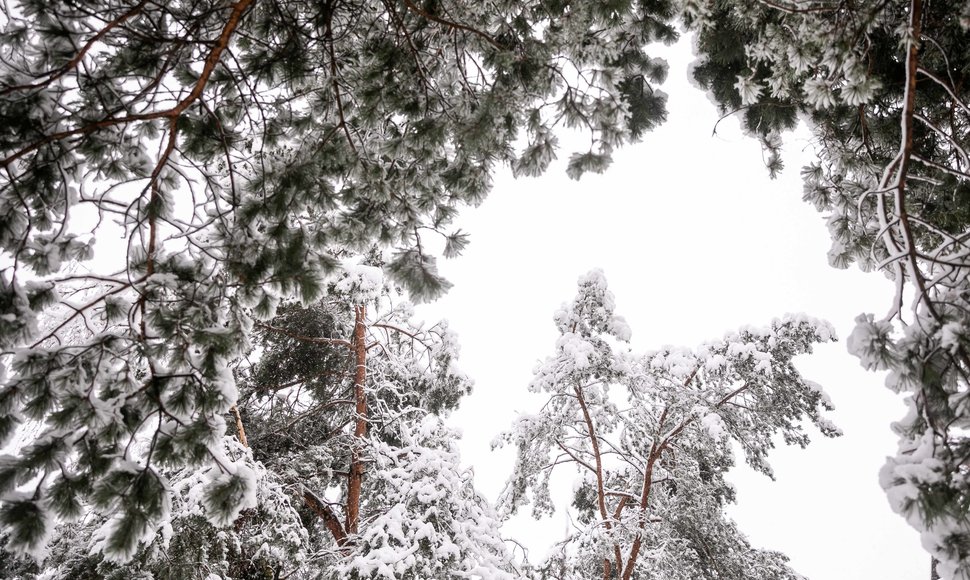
{"points": [[229, 145]]}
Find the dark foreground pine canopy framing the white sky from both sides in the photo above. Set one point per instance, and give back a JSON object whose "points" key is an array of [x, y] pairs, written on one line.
{"points": [[235, 148]]}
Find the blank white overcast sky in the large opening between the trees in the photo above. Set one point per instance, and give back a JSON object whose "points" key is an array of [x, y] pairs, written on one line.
{"points": [[695, 240]]}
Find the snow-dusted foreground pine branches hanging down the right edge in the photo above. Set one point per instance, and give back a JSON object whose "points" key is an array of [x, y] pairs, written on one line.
{"points": [[883, 88]]}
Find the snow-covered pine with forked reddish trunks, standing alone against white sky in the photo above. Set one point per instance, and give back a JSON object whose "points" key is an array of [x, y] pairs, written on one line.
{"points": [[652, 438]]}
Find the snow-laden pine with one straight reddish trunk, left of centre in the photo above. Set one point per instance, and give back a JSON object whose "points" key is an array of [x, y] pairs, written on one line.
{"points": [[405, 507]]}
